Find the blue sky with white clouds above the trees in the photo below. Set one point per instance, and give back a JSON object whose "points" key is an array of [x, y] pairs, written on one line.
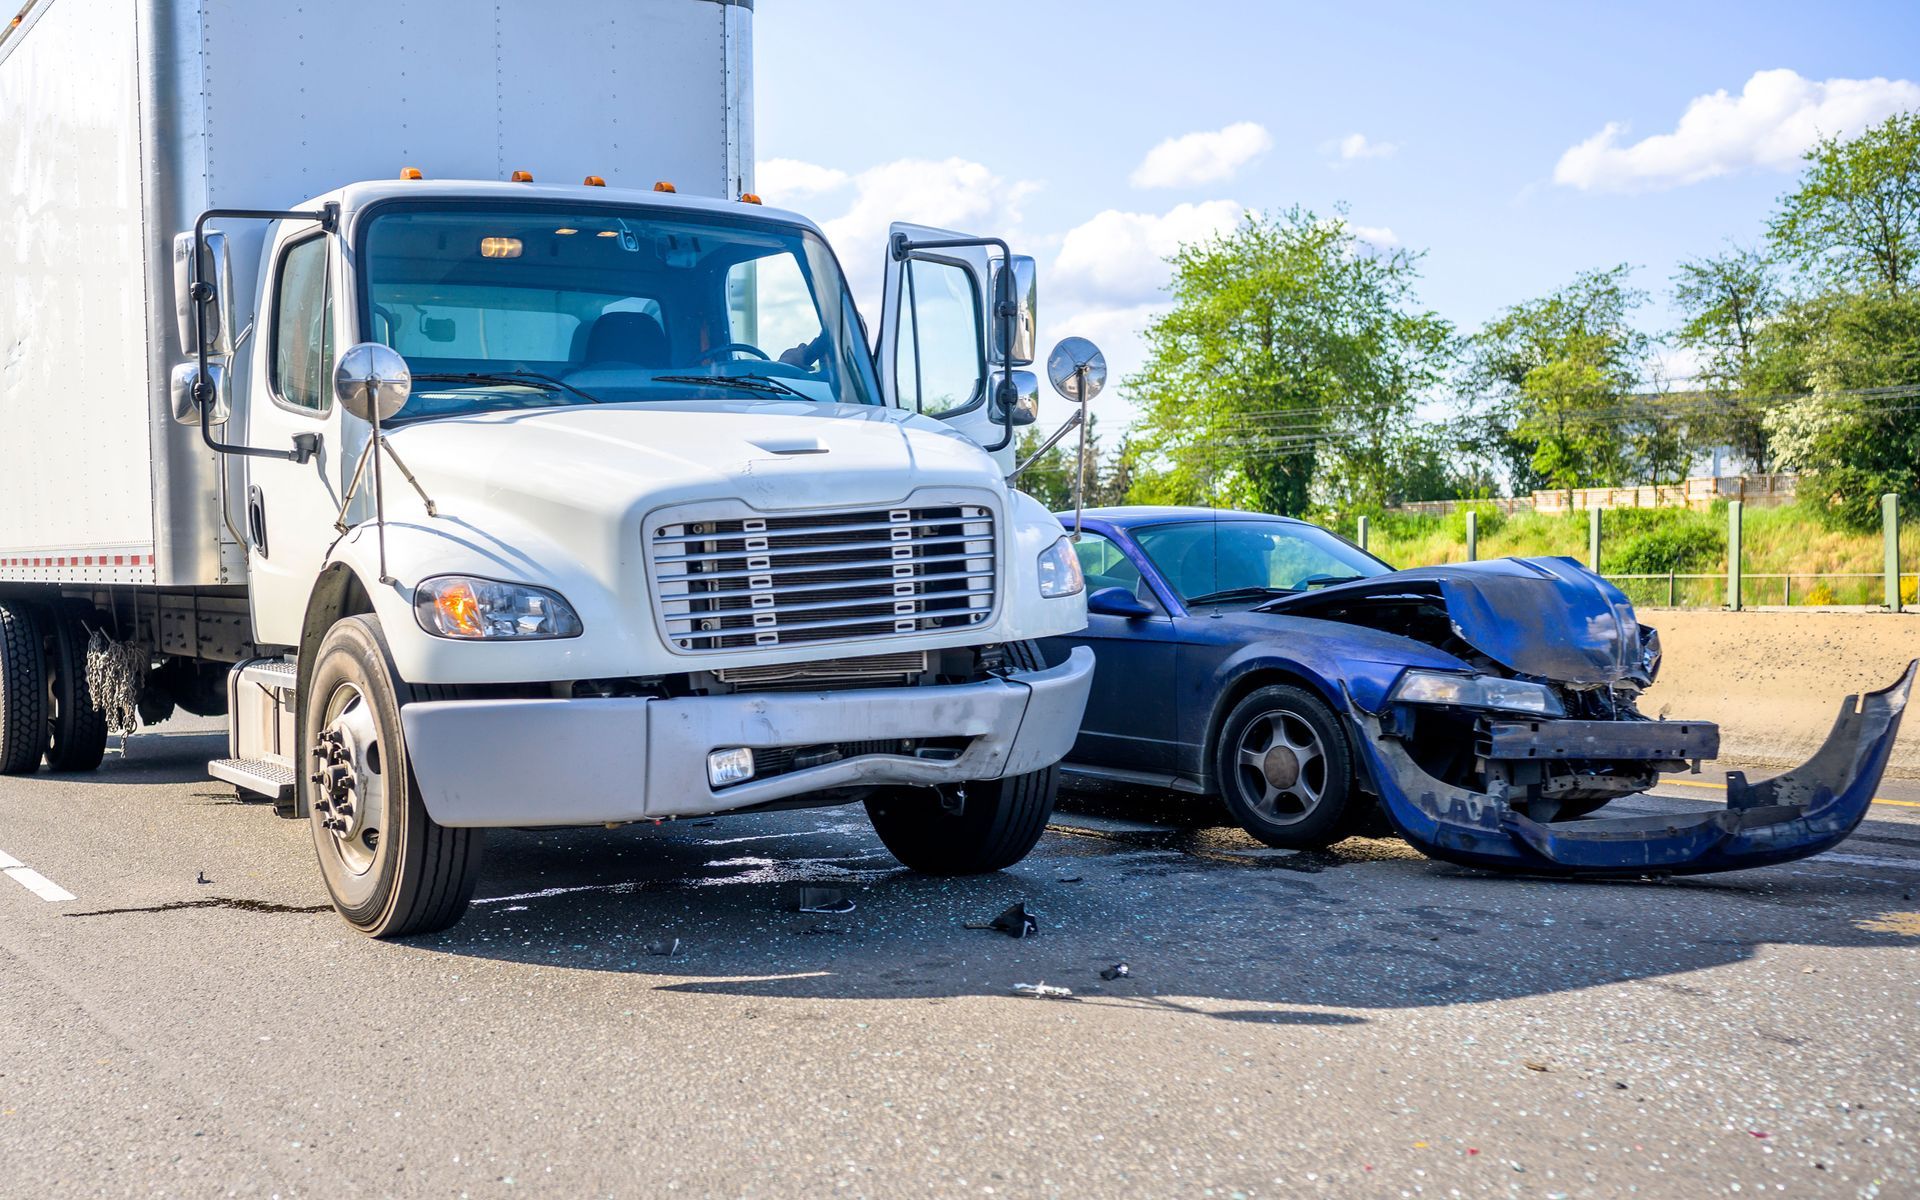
{"points": [[1512, 145]]}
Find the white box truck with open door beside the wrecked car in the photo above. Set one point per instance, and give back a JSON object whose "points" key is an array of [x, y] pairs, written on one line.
{"points": [[421, 387]]}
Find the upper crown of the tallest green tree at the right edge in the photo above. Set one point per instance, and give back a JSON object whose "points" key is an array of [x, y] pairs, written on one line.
{"points": [[1856, 216]]}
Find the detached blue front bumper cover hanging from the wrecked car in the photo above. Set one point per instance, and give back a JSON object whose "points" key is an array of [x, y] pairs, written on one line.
{"points": [[1800, 813]]}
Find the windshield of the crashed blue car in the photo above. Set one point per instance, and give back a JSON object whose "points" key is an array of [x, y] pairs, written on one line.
{"points": [[1249, 560]]}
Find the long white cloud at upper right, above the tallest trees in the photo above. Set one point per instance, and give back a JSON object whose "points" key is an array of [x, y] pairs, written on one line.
{"points": [[1775, 118]]}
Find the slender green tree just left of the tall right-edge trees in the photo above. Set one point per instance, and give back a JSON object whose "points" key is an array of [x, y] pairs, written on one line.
{"points": [[1727, 302]]}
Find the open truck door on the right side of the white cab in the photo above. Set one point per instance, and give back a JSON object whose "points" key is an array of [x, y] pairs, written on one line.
{"points": [[934, 335]]}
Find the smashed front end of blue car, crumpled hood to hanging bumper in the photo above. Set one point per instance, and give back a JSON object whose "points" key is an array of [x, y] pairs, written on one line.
{"points": [[1500, 761]]}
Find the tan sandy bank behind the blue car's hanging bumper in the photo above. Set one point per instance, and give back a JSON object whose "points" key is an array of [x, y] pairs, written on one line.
{"points": [[1775, 681]]}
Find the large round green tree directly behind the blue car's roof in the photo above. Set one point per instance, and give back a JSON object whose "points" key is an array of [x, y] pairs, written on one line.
{"points": [[1293, 352]]}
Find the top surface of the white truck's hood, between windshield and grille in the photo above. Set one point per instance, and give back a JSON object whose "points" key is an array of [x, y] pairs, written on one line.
{"points": [[769, 454]]}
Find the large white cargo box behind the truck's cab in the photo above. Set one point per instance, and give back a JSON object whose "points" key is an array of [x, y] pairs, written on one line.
{"points": [[124, 120]]}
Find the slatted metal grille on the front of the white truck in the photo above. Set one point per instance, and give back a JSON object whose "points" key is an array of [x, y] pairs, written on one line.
{"points": [[807, 579]]}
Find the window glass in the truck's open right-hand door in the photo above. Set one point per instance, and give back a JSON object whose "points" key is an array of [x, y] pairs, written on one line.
{"points": [[940, 360]]}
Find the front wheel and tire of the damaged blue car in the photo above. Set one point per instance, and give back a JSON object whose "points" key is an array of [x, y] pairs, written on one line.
{"points": [[1285, 769]]}
